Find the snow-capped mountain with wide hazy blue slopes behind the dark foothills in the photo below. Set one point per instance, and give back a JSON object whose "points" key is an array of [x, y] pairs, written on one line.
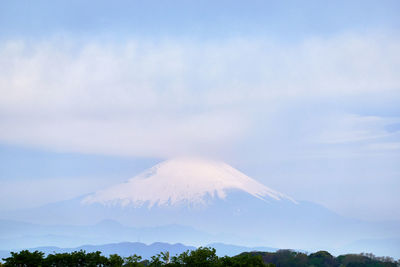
{"points": [[195, 202]]}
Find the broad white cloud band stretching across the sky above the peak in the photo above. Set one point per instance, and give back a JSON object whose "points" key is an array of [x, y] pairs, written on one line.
{"points": [[176, 97]]}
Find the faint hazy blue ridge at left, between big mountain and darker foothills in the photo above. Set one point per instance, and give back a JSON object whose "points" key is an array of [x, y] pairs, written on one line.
{"points": [[19, 235]]}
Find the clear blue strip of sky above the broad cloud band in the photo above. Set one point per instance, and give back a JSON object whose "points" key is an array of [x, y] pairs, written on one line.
{"points": [[284, 20]]}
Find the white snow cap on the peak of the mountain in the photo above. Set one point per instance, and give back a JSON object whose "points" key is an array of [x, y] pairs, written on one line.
{"points": [[181, 180]]}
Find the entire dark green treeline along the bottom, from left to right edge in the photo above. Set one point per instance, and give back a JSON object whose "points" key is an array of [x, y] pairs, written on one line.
{"points": [[201, 257]]}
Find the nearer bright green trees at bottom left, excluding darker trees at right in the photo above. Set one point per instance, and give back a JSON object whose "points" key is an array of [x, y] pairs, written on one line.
{"points": [[201, 257]]}
